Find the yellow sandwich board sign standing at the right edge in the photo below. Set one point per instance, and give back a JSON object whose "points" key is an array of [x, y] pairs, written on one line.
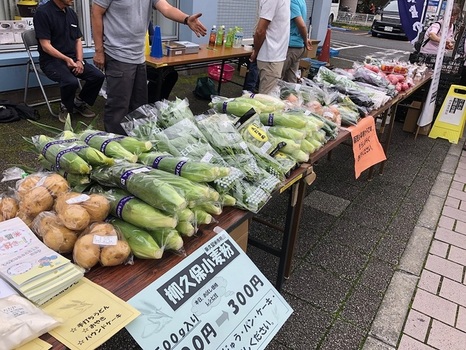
{"points": [[450, 120]]}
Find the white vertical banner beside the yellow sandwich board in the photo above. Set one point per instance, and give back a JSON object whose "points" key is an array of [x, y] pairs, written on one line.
{"points": [[428, 109]]}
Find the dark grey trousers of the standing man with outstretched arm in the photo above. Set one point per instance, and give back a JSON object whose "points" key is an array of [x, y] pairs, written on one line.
{"points": [[126, 91]]}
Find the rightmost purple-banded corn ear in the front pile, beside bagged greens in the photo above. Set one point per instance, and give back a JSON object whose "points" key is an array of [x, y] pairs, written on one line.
{"points": [[191, 170]]}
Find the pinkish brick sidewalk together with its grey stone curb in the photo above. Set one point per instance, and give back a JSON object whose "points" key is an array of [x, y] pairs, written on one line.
{"points": [[425, 302]]}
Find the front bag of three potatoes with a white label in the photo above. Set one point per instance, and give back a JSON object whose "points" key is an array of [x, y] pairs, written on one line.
{"points": [[101, 243]]}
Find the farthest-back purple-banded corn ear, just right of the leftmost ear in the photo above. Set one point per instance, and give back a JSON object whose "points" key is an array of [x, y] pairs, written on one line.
{"points": [[107, 144]]}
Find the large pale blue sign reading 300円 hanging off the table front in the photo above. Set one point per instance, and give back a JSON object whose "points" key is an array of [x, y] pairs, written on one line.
{"points": [[216, 298]]}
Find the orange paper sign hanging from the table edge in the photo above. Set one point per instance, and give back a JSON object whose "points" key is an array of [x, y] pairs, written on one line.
{"points": [[366, 146]]}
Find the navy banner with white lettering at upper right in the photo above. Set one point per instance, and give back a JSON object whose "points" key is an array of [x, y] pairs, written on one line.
{"points": [[411, 16]]}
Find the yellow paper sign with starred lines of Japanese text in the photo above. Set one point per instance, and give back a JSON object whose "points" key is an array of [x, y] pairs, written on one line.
{"points": [[91, 315]]}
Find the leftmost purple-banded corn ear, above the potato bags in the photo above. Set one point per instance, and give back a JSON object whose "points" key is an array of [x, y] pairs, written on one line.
{"points": [[61, 155]]}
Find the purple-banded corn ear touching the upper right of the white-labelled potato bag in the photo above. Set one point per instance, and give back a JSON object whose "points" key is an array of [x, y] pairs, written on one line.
{"points": [[125, 206]]}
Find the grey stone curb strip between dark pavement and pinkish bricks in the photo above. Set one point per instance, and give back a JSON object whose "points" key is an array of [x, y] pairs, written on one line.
{"points": [[388, 324]]}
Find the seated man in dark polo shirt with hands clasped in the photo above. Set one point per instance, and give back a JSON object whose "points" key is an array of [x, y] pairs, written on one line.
{"points": [[61, 57]]}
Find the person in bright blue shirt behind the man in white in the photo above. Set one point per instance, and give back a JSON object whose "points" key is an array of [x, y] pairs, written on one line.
{"points": [[299, 41]]}
